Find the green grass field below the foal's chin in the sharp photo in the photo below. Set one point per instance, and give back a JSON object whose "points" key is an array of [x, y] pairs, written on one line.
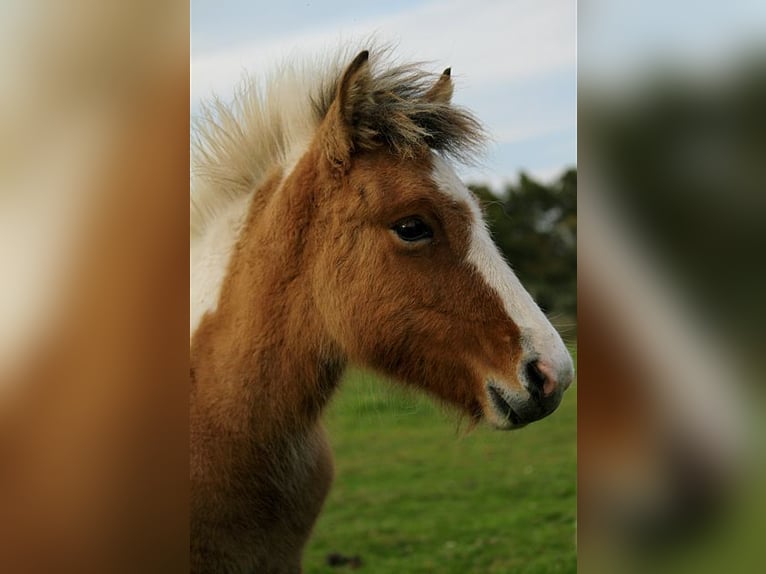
{"points": [[414, 494]]}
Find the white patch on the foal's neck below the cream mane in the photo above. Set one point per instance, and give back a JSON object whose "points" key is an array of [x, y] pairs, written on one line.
{"points": [[209, 258]]}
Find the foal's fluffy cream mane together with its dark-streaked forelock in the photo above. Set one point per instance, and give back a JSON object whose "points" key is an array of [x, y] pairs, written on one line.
{"points": [[267, 124]]}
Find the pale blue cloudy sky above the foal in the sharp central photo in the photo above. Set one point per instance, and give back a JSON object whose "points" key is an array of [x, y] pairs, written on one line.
{"points": [[513, 62]]}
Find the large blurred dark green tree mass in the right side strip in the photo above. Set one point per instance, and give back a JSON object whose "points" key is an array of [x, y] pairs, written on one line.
{"points": [[682, 160]]}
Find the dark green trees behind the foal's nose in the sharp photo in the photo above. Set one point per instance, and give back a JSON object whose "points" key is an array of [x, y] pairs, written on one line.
{"points": [[535, 227]]}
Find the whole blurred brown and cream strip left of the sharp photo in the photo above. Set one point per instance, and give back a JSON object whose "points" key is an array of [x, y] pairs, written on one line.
{"points": [[93, 295]]}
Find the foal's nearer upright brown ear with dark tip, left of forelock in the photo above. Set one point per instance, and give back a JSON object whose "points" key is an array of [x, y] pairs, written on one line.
{"points": [[342, 116]]}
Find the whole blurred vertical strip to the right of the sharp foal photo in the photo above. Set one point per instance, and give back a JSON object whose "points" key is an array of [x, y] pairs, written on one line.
{"points": [[671, 278]]}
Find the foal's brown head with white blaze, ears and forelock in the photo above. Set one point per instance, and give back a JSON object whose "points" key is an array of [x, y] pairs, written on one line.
{"points": [[405, 276]]}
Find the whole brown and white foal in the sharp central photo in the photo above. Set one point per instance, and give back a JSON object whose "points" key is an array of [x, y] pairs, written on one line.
{"points": [[329, 230]]}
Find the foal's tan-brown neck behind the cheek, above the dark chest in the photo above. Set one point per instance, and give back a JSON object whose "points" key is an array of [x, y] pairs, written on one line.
{"points": [[262, 364]]}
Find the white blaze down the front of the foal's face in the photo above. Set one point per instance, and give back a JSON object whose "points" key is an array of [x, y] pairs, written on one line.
{"points": [[541, 339]]}
